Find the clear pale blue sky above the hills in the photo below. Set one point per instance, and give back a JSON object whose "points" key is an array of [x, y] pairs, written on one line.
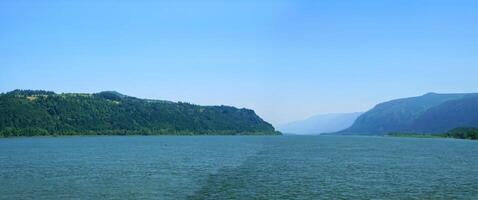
{"points": [[285, 59]]}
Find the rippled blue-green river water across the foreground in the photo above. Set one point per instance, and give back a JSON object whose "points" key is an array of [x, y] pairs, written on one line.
{"points": [[237, 167]]}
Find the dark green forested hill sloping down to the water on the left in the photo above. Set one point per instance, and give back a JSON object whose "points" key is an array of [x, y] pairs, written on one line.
{"points": [[35, 112]]}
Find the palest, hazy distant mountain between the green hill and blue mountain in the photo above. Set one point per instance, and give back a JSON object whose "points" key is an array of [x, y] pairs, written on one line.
{"points": [[323, 123]]}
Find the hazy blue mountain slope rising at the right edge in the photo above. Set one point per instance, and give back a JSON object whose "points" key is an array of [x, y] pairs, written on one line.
{"points": [[429, 113]]}
